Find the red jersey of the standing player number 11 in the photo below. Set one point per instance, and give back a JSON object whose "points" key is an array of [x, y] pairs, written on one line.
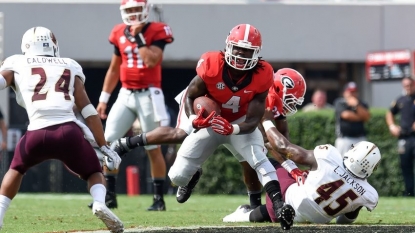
{"points": [[133, 72]]}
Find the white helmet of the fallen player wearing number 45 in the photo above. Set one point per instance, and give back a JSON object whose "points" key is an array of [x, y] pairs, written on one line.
{"points": [[362, 159]]}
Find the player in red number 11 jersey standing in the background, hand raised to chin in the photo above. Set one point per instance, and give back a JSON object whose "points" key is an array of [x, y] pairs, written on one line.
{"points": [[136, 62]]}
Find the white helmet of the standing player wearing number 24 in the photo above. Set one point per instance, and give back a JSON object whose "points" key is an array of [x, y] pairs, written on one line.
{"points": [[40, 41]]}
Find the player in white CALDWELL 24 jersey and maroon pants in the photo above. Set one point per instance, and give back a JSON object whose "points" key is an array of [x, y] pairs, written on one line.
{"points": [[48, 86]]}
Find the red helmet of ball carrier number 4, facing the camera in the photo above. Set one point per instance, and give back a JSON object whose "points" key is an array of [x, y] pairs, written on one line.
{"points": [[244, 36]]}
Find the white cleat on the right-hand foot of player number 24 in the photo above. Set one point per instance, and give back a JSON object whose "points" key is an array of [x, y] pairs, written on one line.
{"points": [[112, 222]]}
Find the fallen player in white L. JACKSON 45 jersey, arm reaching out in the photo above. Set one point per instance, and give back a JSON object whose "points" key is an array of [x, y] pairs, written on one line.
{"points": [[336, 186]]}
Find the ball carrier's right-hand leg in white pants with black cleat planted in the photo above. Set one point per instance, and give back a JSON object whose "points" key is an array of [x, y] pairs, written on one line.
{"points": [[254, 154]]}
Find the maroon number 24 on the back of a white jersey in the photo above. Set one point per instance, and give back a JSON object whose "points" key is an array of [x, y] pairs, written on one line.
{"points": [[62, 85]]}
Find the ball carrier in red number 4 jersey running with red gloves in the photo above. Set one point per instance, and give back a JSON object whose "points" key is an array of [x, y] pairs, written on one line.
{"points": [[238, 80]]}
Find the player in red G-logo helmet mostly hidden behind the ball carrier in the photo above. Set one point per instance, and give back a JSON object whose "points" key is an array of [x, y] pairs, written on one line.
{"points": [[292, 94]]}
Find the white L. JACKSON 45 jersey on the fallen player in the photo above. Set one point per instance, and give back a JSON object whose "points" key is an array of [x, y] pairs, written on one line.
{"points": [[330, 190]]}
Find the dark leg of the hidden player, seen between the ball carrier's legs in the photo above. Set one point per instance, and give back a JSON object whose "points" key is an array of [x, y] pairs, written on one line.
{"points": [[253, 186]]}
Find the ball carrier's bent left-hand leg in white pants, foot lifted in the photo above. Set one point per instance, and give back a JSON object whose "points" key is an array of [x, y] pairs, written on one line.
{"points": [[186, 170]]}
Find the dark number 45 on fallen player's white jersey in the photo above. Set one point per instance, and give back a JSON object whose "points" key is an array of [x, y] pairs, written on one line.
{"points": [[325, 192]]}
